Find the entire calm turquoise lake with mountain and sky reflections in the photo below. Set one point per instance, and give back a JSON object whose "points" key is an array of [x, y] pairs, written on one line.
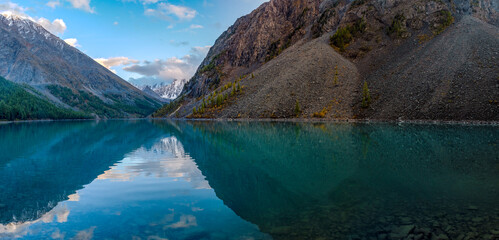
{"points": [[238, 180]]}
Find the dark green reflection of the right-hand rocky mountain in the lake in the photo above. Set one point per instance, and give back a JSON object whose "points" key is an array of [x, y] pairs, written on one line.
{"points": [[302, 181]]}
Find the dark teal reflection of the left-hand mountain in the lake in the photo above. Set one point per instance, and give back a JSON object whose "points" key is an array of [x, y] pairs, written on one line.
{"points": [[44, 163]]}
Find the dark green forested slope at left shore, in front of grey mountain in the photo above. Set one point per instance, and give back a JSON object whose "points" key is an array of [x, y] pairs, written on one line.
{"points": [[18, 103]]}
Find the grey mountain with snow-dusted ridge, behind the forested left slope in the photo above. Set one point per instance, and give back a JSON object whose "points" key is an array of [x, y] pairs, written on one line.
{"points": [[31, 55]]}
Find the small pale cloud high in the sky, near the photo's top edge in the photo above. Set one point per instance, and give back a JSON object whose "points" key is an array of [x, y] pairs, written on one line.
{"points": [[166, 10]]}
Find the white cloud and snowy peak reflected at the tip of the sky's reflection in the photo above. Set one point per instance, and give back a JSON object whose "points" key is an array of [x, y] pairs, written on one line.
{"points": [[167, 158]]}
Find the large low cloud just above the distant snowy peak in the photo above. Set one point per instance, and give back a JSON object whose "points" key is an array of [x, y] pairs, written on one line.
{"points": [[171, 68]]}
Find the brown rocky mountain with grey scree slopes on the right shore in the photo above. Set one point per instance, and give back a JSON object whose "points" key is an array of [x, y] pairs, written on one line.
{"points": [[362, 59]]}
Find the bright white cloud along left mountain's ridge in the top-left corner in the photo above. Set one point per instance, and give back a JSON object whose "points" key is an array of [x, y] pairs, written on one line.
{"points": [[11, 9]]}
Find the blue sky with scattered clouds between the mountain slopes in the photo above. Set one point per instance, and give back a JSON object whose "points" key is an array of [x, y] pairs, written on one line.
{"points": [[143, 41]]}
